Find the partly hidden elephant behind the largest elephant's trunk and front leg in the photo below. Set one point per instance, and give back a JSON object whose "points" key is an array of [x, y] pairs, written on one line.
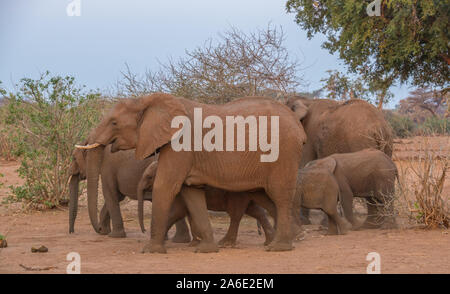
{"points": [[120, 174]]}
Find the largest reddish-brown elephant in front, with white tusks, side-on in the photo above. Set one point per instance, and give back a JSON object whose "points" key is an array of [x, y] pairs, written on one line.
{"points": [[151, 122]]}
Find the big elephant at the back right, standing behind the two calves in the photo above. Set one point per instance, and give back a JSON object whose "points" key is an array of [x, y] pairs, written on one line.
{"points": [[339, 127]]}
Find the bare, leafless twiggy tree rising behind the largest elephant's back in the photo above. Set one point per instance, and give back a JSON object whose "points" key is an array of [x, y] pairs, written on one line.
{"points": [[235, 65]]}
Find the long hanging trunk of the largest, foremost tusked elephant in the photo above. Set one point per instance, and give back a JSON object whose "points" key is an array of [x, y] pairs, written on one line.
{"points": [[94, 161]]}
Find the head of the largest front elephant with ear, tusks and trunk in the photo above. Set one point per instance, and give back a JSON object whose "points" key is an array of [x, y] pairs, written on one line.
{"points": [[143, 123]]}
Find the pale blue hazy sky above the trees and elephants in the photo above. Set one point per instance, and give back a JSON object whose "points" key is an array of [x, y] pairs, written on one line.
{"points": [[38, 35]]}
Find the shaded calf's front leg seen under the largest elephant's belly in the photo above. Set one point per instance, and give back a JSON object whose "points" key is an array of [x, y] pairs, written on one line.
{"points": [[236, 206]]}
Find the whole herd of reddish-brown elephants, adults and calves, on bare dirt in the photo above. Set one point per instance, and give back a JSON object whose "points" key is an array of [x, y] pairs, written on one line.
{"points": [[329, 152]]}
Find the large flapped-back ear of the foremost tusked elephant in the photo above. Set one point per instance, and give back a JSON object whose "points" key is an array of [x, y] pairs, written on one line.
{"points": [[155, 129]]}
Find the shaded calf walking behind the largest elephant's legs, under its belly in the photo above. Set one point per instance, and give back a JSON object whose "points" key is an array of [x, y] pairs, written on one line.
{"points": [[236, 204]]}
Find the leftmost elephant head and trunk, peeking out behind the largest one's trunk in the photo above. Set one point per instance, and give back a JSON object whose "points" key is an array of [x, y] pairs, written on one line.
{"points": [[77, 173]]}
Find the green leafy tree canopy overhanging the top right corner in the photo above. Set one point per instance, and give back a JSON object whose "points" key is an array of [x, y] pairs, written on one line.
{"points": [[408, 42]]}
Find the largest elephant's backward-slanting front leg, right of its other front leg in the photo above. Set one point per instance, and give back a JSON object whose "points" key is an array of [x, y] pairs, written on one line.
{"points": [[196, 205]]}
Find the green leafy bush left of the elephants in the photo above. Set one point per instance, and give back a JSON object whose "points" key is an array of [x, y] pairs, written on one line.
{"points": [[49, 115]]}
